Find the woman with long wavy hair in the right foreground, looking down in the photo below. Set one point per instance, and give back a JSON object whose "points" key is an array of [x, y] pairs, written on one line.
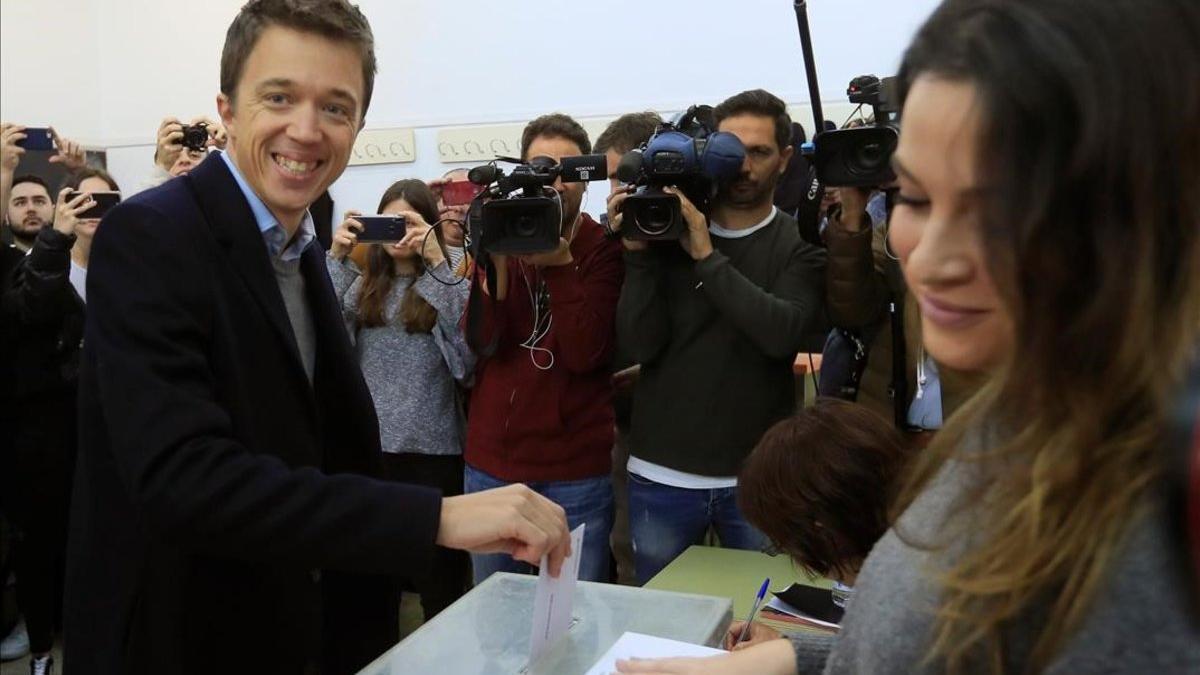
{"points": [[1048, 222]]}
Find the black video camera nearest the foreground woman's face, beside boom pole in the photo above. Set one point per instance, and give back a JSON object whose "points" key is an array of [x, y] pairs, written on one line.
{"points": [[862, 157]]}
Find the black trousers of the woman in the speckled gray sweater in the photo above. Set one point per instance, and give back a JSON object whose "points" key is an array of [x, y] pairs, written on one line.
{"points": [[449, 575]]}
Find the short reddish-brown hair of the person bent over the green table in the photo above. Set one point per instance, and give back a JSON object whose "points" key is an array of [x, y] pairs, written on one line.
{"points": [[819, 485]]}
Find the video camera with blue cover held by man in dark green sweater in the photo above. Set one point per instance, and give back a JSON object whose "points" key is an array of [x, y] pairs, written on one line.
{"points": [[688, 154]]}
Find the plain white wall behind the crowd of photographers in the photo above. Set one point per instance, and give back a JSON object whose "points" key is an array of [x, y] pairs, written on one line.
{"points": [[441, 63]]}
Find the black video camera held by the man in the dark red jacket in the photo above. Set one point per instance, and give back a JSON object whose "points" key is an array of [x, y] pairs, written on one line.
{"points": [[520, 213]]}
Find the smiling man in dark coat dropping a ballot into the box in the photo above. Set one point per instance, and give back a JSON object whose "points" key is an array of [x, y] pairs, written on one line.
{"points": [[224, 518]]}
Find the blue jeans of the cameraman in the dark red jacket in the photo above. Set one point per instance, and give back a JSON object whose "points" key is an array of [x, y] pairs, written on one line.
{"points": [[585, 501]]}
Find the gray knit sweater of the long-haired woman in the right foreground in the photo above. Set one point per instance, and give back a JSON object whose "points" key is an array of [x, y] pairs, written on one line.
{"points": [[1139, 622]]}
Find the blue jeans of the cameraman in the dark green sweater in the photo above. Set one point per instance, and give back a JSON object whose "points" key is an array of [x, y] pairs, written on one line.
{"points": [[665, 521]]}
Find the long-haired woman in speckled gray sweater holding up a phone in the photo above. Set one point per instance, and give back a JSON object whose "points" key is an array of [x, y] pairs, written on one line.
{"points": [[403, 315]]}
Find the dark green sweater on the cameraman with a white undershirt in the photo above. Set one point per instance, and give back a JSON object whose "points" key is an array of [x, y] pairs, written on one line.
{"points": [[717, 341]]}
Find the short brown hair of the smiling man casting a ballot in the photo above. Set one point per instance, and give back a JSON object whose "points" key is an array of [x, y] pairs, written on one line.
{"points": [[335, 20]]}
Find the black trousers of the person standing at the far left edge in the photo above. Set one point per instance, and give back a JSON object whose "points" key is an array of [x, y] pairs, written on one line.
{"points": [[37, 465]]}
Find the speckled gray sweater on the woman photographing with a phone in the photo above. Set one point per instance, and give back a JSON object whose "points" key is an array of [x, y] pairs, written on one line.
{"points": [[412, 375]]}
